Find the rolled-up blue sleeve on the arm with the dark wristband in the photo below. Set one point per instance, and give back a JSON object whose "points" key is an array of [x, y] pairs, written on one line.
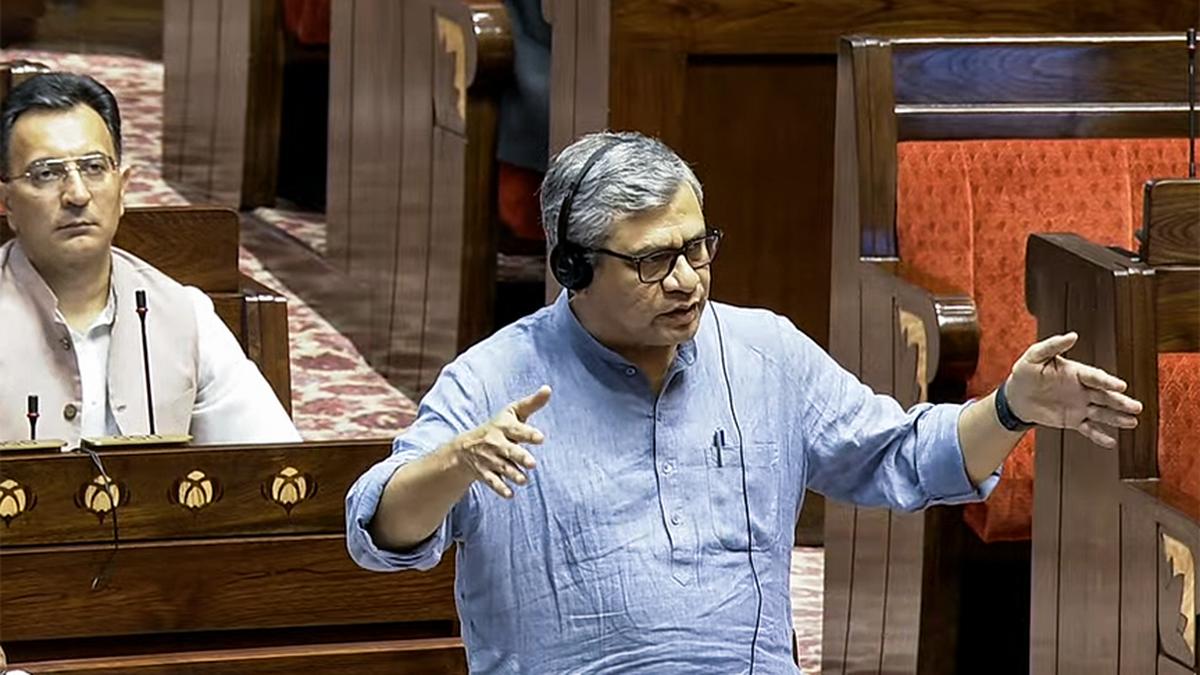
{"points": [[865, 449]]}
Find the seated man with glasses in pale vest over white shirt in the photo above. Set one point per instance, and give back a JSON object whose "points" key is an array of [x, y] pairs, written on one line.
{"points": [[69, 300]]}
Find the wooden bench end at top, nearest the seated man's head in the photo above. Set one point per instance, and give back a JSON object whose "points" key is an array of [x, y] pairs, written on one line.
{"points": [[223, 97]]}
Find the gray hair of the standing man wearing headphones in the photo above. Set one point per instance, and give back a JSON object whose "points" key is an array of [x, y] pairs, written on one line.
{"points": [[635, 176]]}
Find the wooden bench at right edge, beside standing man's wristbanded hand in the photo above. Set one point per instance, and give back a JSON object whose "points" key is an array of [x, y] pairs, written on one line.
{"points": [[1131, 525]]}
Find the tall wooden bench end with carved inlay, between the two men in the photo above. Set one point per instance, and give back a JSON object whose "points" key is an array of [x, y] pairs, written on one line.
{"points": [[411, 180]]}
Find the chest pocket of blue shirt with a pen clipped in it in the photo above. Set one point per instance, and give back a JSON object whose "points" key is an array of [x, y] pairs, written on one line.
{"points": [[727, 501]]}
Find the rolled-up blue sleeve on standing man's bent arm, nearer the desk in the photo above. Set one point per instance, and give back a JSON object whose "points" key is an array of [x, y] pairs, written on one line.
{"points": [[448, 410]]}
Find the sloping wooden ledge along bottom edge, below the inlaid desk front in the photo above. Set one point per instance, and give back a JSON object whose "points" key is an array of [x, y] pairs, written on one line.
{"points": [[394, 658]]}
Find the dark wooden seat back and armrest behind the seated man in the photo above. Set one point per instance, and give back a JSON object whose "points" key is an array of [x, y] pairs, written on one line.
{"points": [[199, 247]]}
